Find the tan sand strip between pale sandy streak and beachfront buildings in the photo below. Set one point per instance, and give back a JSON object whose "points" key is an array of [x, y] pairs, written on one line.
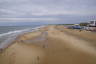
{"points": [[85, 35]]}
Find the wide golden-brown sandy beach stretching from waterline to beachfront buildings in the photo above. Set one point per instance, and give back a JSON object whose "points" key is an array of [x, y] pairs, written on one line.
{"points": [[52, 45]]}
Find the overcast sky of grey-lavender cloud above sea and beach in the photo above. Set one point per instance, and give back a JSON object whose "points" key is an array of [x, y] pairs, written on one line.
{"points": [[57, 11]]}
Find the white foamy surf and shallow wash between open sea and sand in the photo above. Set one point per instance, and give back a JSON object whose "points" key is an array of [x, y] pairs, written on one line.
{"points": [[12, 35]]}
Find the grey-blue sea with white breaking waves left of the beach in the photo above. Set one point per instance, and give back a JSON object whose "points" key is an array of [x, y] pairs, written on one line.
{"points": [[9, 33]]}
